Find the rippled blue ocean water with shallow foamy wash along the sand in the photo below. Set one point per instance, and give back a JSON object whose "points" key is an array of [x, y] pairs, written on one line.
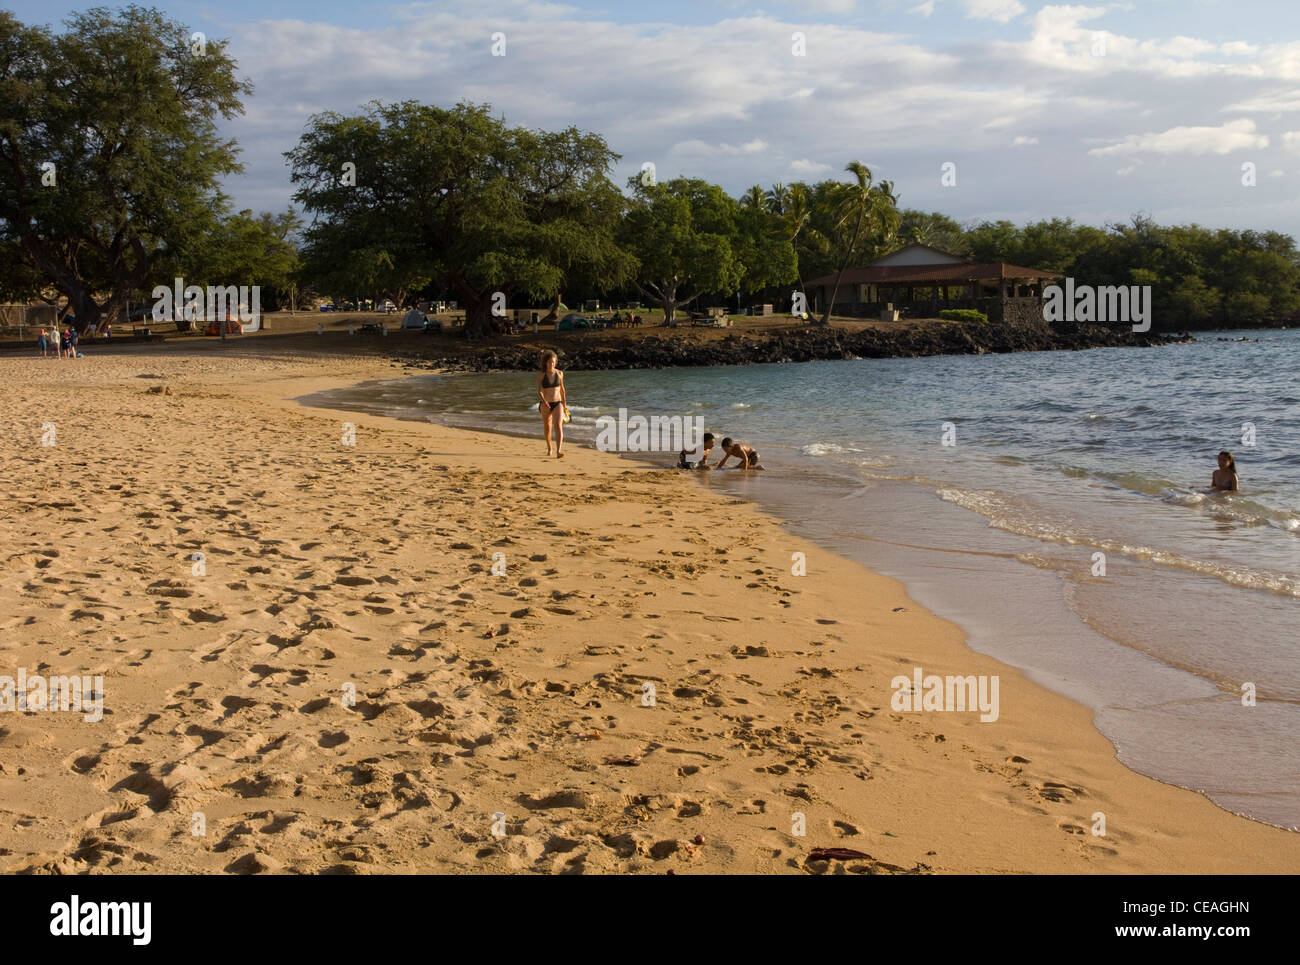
{"points": [[1068, 530]]}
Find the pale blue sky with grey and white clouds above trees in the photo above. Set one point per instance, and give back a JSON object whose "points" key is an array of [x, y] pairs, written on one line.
{"points": [[1087, 111]]}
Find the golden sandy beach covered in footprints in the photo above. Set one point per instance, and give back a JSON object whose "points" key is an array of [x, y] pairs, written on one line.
{"points": [[560, 667]]}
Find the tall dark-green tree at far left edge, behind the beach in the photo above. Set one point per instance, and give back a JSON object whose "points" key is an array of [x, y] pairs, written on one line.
{"points": [[110, 149]]}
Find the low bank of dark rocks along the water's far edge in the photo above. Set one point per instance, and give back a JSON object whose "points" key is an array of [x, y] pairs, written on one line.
{"points": [[796, 345]]}
